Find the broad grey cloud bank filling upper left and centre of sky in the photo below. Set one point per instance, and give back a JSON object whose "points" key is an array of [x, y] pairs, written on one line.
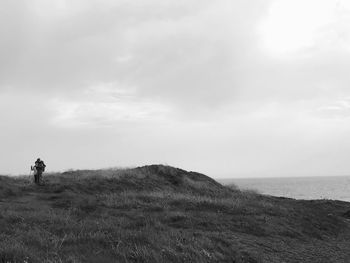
{"points": [[185, 52]]}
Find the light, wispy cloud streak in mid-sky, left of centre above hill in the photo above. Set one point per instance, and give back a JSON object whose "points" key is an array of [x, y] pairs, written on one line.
{"points": [[105, 105]]}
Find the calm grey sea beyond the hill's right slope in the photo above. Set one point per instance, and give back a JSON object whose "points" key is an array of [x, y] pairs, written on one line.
{"points": [[332, 187]]}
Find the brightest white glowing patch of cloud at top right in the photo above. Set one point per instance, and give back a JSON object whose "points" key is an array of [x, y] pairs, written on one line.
{"points": [[292, 26]]}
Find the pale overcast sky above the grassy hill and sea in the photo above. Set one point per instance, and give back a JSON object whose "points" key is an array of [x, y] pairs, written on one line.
{"points": [[229, 88]]}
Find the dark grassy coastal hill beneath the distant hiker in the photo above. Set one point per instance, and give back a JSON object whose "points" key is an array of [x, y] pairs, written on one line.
{"points": [[163, 214]]}
